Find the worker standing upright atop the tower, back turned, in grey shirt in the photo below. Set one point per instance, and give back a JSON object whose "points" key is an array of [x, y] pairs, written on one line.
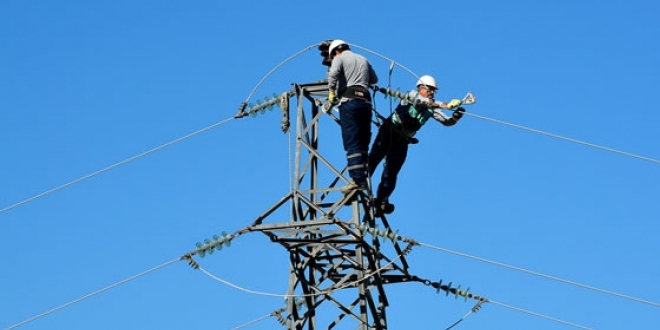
{"points": [[349, 78]]}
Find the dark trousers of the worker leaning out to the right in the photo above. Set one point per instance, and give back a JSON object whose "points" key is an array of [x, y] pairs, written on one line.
{"points": [[393, 147]]}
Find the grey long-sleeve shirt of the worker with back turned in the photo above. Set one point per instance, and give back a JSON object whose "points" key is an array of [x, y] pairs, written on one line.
{"points": [[350, 69]]}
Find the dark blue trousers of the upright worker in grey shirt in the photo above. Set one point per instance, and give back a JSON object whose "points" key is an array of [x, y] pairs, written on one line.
{"points": [[355, 121]]}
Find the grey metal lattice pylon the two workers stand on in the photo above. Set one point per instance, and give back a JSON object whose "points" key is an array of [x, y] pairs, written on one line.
{"points": [[337, 270]]}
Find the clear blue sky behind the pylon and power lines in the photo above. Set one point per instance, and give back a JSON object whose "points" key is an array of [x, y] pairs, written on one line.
{"points": [[84, 85]]}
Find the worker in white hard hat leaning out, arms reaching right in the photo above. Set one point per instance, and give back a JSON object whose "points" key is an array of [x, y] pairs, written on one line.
{"points": [[398, 130]]}
